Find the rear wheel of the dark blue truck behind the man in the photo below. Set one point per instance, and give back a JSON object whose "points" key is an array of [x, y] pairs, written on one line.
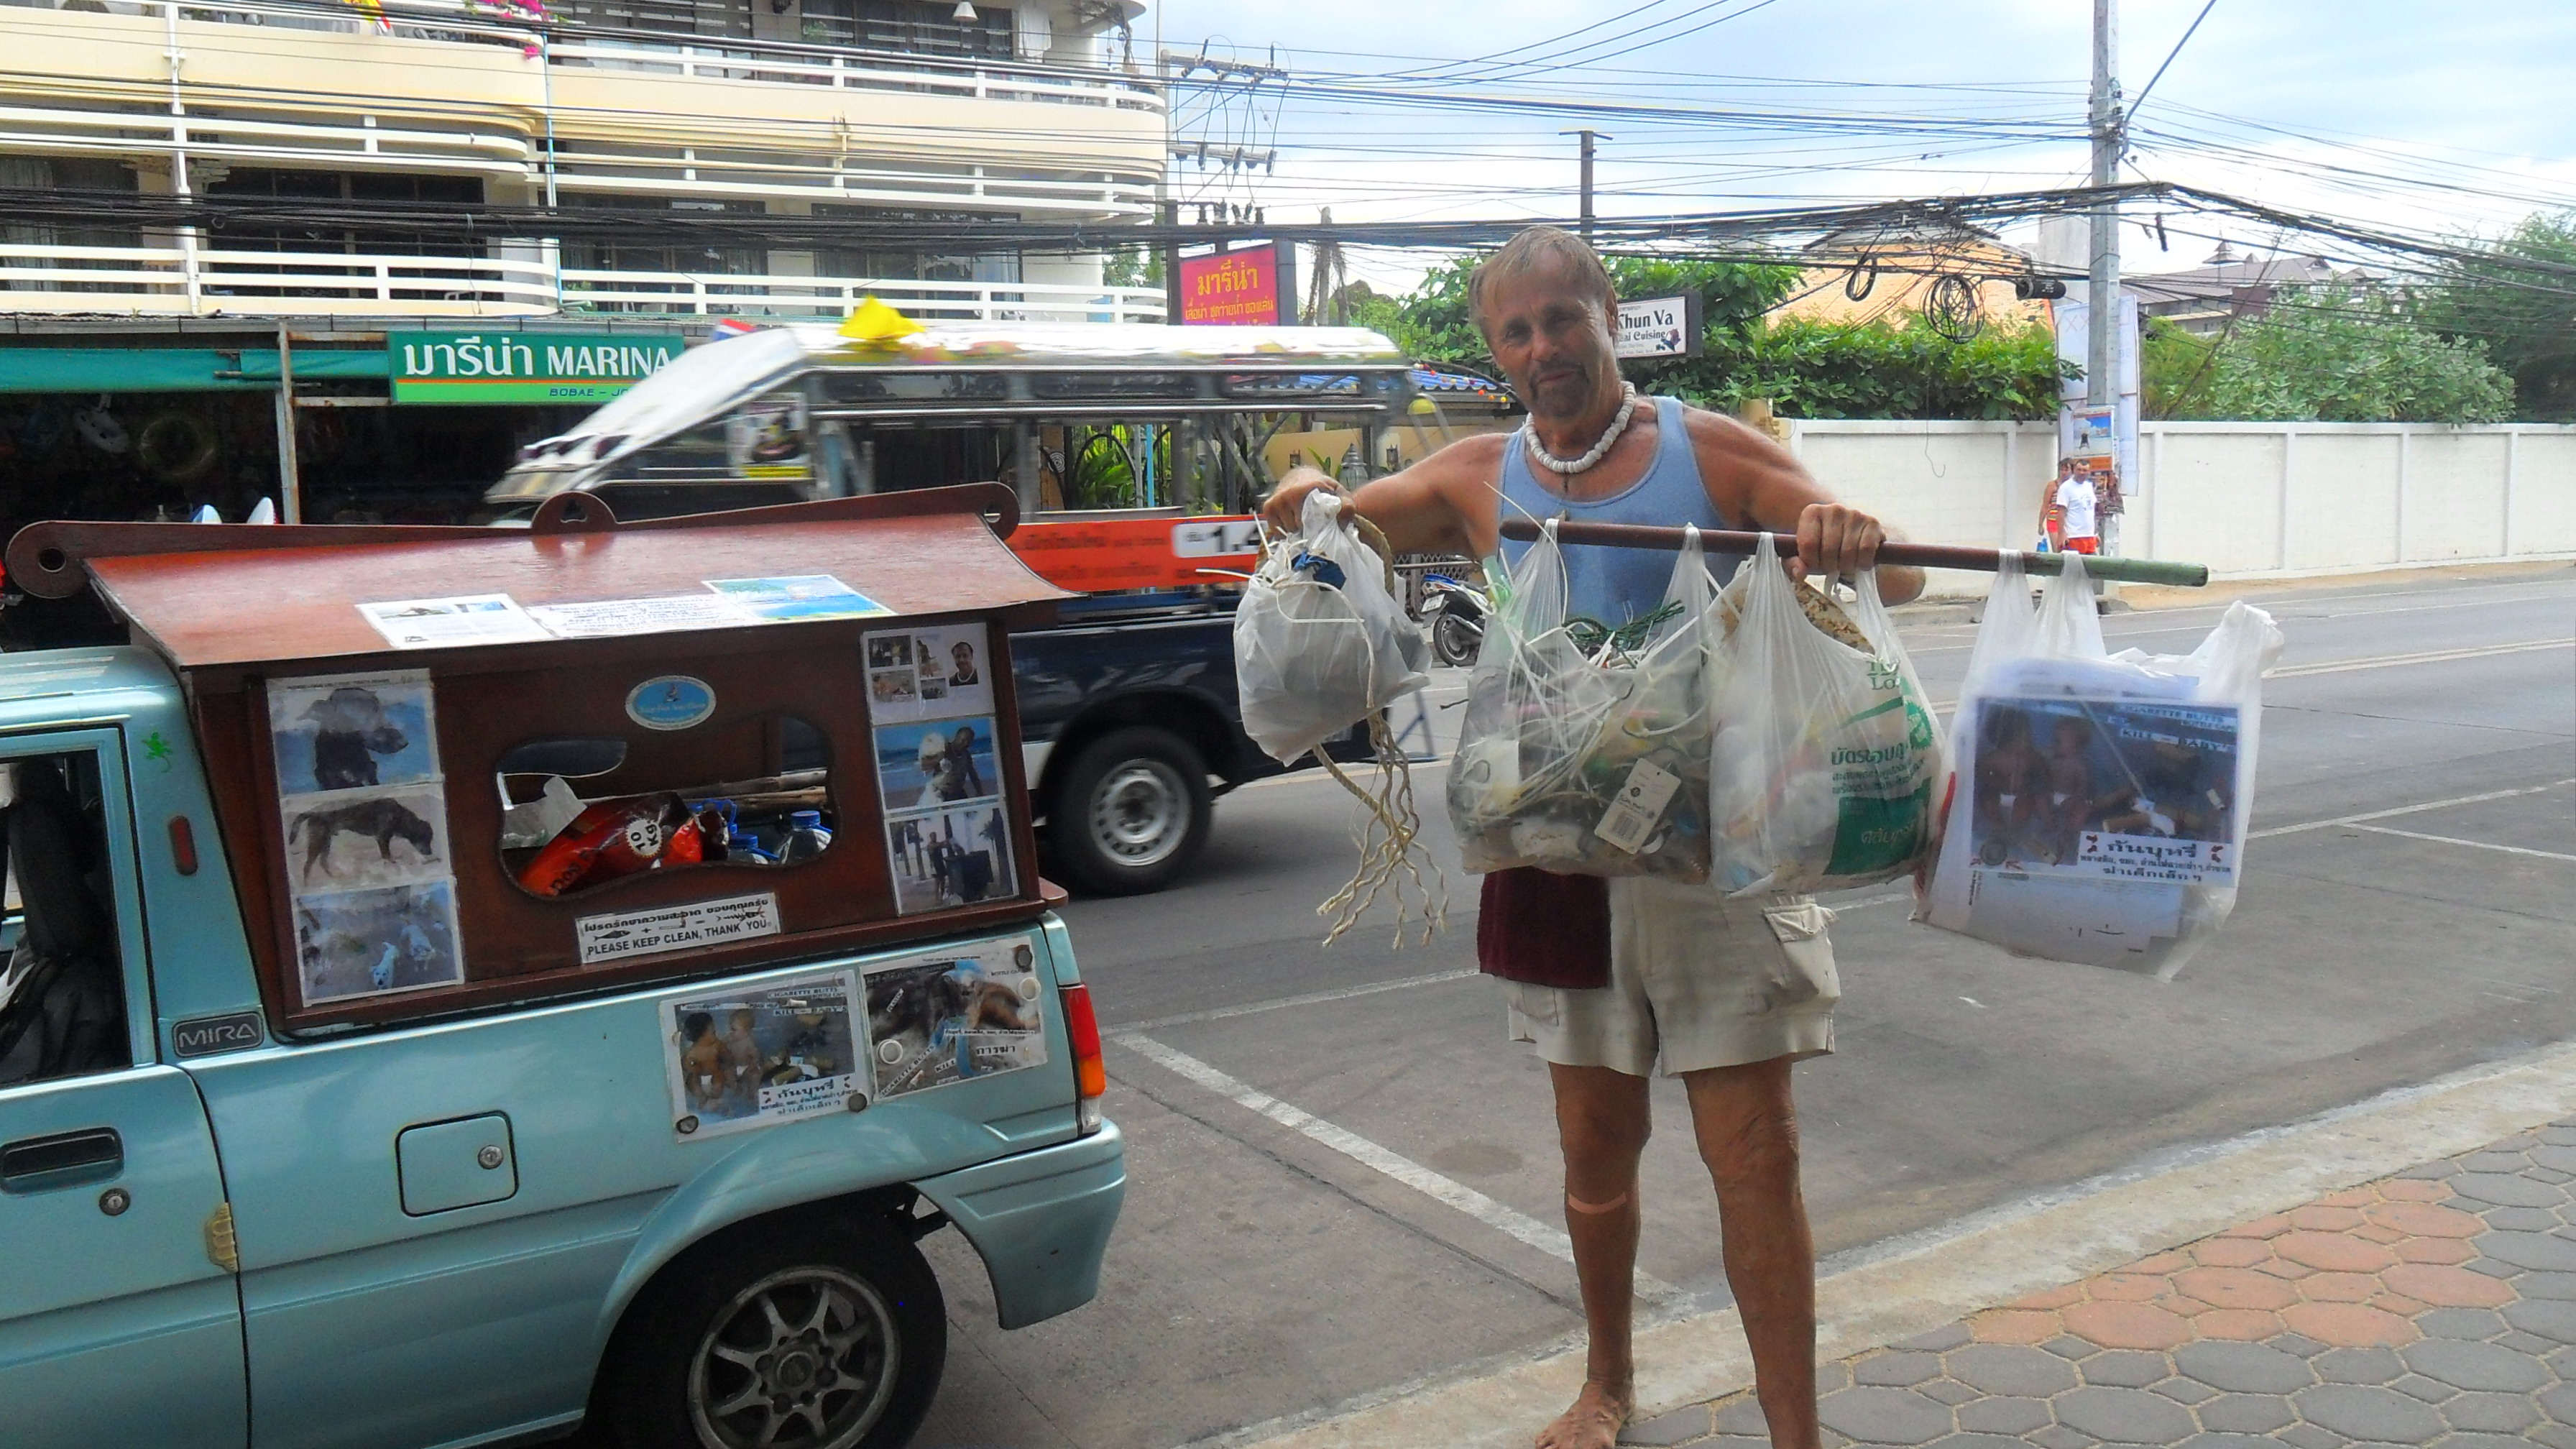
{"points": [[1132, 811]]}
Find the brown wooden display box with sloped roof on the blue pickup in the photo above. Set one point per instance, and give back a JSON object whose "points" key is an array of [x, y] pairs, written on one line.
{"points": [[362, 788]]}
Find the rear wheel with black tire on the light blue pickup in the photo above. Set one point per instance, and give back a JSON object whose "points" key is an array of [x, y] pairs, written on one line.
{"points": [[815, 1337]]}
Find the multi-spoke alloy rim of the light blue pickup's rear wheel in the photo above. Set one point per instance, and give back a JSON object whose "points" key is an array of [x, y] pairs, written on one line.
{"points": [[800, 1360]]}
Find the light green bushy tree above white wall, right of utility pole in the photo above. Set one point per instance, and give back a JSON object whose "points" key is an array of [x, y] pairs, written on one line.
{"points": [[2330, 355]]}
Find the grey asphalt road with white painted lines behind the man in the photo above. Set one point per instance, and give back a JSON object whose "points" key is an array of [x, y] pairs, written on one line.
{"points": [[1343, 1180]]}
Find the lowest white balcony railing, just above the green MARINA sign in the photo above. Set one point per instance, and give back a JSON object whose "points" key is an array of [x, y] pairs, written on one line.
{"points": [[228, 282]]}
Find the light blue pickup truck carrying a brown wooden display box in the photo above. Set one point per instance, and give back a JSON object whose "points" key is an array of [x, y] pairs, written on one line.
{"points": [[326, 1131]]}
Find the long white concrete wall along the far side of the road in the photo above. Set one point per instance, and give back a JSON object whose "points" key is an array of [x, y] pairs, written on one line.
{"points": [[2245, 499]]}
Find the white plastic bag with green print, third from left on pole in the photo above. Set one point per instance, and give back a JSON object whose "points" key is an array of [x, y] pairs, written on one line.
{"points": [[1825, 757]]}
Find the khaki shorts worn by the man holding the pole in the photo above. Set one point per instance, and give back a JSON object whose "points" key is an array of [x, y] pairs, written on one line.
{"points": [[1696, 981]]}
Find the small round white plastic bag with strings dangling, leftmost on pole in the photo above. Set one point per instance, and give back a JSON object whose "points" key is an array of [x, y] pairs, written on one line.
{"points": [[1320, 643]]}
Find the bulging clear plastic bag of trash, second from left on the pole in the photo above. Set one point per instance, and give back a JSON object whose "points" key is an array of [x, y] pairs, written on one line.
{"points": [[1586, 749]]}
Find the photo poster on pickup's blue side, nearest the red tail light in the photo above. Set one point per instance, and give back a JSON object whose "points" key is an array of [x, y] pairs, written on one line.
{"points": [[952, 1017]]}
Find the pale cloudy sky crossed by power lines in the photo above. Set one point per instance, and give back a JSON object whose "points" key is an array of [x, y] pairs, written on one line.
{"points": [[2389, 112]]}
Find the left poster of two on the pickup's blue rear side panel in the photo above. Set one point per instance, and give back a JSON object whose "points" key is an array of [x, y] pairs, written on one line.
{"points": [[764, 1056]]}
